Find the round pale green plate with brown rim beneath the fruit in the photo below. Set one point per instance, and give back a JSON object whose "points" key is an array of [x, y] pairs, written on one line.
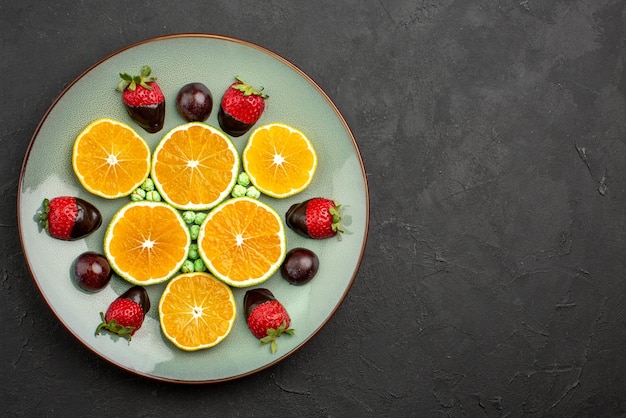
{"points": [[295, 99]]}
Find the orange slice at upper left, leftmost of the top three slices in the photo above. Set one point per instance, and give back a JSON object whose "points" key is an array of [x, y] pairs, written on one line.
{"points": [[110, 159]]}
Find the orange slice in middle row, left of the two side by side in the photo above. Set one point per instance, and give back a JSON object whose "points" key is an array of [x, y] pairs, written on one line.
{"points": [[146, 242]]}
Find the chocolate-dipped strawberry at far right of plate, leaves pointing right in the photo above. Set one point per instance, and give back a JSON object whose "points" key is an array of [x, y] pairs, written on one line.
{"points": [[315, 218]]}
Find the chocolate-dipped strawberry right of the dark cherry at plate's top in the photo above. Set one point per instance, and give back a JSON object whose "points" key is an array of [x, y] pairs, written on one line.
{"points": [[241, 107]]}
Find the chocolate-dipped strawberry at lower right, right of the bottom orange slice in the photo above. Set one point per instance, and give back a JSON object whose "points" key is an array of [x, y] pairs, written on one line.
{"points": [[267, 318]]}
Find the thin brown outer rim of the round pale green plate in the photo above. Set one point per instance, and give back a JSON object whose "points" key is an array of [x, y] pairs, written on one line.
{"points": [[225, 38]]}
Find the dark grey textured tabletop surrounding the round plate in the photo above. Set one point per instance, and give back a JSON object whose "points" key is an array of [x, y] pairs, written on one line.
{"points": [[494, 138]]}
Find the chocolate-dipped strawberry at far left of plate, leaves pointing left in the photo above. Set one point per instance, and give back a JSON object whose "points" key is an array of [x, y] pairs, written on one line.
{"points": [[69, 218]]}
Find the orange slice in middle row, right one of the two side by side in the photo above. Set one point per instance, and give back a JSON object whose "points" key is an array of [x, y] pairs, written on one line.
{"points": [[242, 242]]}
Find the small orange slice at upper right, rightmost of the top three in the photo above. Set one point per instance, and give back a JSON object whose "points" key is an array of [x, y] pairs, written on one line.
{"points": [[279, 160]]}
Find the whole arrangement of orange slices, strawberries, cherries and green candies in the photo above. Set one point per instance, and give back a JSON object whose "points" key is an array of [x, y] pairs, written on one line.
{"points": [[193, 219]]}
